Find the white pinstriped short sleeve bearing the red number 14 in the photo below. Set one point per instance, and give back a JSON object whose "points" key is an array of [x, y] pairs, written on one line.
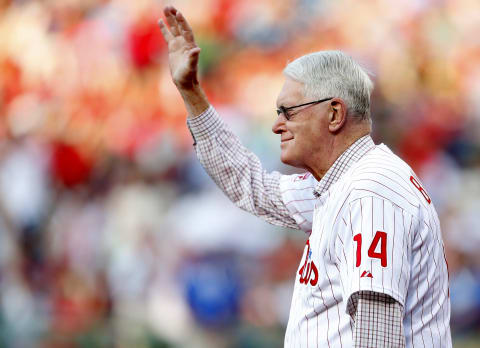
{"points": [[373, 248]]}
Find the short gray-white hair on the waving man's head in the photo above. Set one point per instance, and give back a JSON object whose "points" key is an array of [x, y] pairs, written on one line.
{"points": [[333, 74]]}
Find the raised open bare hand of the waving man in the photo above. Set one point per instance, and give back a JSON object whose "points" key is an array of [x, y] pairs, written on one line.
{"points": [[183, 52]]}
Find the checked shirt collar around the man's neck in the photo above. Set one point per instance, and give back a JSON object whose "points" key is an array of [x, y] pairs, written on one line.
{"points": [[351, 155]]}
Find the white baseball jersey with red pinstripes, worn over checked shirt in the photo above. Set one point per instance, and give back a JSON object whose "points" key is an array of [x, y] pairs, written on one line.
{"points": [[374, 228]]}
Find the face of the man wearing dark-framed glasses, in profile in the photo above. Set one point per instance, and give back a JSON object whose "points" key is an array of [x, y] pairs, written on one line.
{"points": [[305, 136]]}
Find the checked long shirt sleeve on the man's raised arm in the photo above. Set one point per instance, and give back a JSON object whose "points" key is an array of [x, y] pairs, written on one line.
{"points": [[237, 171]]}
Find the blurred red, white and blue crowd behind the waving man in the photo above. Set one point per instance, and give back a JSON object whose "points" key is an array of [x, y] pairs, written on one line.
{"points": [[111, 235]]}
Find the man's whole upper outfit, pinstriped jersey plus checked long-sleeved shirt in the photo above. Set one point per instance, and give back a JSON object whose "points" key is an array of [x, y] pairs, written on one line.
{"points": [[366, 190]]}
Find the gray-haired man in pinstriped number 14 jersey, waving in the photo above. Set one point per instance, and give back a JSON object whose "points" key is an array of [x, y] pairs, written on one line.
{"points": [[373, 272]]}
